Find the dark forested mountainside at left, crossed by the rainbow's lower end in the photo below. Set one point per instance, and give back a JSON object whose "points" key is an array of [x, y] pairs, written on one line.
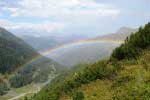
{"points": [[15, 69]]}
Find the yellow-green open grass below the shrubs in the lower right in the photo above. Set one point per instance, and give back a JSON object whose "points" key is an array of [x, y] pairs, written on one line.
{"points": [[132, 79]]}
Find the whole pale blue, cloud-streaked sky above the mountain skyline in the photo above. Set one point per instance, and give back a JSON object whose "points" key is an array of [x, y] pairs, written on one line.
{"points": [[67, 17]]}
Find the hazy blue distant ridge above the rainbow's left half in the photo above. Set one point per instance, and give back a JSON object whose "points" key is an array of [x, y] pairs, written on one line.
{"points": [[43, 43]]}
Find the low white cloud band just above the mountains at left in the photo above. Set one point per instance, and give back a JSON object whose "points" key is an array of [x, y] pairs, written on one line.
{"points": [[31, 28]]}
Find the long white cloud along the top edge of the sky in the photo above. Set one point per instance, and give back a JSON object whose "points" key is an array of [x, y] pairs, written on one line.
{"points": [[63, 8]]}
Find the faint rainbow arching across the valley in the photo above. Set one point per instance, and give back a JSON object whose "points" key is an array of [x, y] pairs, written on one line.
{"points": [[67, 45]]}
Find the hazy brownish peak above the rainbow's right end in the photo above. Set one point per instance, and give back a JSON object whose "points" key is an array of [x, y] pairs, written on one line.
{"points": [[120, 35]]}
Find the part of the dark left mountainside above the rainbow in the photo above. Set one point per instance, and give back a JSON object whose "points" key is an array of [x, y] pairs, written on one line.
{"points": [[13, 52]]}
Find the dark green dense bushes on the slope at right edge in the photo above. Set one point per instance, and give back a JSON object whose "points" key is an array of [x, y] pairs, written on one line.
{"points": [[134, 45]]}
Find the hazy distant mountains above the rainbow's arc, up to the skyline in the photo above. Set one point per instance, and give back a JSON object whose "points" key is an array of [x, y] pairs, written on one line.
{"points": [[43, 43]]}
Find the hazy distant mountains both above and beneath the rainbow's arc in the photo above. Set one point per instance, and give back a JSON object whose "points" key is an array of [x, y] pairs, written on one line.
{"points": [[78, 54]]}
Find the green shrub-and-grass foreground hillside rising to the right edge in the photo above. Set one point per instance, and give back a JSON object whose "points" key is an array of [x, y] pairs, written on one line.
{"points": [[125, 76]]}
